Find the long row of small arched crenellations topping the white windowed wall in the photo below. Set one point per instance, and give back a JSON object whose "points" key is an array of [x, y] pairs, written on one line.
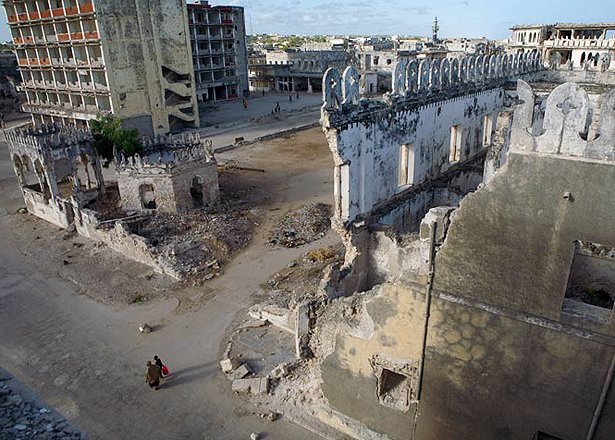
{"points": [[424, 80]]}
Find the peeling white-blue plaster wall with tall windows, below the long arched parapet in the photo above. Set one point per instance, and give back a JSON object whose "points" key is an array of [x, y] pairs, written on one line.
{"points": [[370, 150]]}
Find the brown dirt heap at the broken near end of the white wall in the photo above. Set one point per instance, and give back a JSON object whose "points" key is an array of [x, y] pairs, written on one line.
{"points": [[300, 280]]}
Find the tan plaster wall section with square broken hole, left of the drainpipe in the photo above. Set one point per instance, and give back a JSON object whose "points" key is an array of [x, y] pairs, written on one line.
{"points": [[361, 336]]}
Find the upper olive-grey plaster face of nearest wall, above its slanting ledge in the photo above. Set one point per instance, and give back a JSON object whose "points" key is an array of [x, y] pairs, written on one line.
{"points": [[520, 231]]}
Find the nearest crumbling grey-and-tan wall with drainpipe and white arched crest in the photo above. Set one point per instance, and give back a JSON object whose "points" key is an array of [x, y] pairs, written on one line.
{"points": [[504, 355]]}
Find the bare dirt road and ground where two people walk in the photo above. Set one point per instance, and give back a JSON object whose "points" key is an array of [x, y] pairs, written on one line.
{"points": [[69, 309]]}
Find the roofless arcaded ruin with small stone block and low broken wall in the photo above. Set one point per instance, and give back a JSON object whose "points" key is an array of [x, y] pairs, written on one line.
{"points": [[61, 179]]}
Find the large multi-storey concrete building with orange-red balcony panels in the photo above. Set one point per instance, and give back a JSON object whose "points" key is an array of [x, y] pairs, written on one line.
{"points": [[79, 58]]}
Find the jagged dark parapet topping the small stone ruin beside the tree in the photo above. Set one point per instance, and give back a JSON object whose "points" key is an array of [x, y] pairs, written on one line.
{"points": [[161, 153]]}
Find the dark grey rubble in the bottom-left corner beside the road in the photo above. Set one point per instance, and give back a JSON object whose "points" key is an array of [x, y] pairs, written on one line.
{"points": [[22, 418]]}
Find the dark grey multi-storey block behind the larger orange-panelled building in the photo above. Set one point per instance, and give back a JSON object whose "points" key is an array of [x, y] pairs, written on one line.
{"points": [[218, 35]]}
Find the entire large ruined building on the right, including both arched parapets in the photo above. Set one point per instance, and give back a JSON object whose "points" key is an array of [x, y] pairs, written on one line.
{"points": [[476, 296]]}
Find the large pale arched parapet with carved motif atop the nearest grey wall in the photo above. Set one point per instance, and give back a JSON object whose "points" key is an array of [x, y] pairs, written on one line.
{"points": [[564, 129]]}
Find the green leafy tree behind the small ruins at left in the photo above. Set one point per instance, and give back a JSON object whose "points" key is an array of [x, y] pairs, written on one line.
{"points": [[107, 132]]}
